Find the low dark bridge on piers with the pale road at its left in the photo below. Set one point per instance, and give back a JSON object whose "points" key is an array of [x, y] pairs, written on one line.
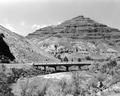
{"points": [[46, 65]]}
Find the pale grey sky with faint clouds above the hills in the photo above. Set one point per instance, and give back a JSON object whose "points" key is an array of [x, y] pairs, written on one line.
{"points": [[25, 16]]}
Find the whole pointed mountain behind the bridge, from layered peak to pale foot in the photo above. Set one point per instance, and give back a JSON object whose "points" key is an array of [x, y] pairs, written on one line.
{"points": [[78, 37]]}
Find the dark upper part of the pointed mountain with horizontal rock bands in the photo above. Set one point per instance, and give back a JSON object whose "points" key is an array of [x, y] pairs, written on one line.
{"points": [[79, 28]]}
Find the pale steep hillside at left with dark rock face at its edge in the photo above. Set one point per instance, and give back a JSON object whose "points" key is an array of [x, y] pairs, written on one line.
{"points": [[21, 49]]}
